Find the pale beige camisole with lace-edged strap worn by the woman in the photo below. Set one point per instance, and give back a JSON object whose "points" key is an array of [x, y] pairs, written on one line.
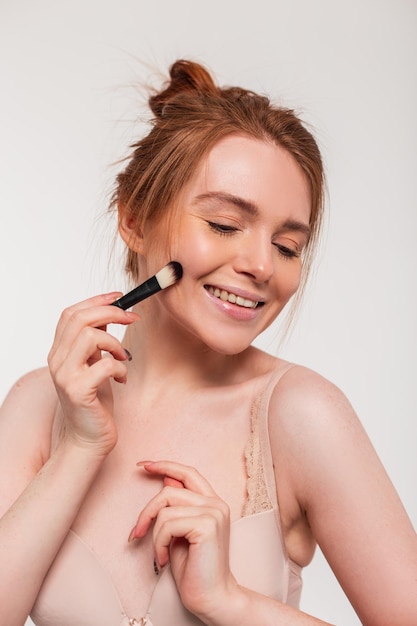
{"points": [[78, 591]]}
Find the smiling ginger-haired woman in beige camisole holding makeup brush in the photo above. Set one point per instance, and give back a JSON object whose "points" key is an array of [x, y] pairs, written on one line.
{"points": [[190, 483]]}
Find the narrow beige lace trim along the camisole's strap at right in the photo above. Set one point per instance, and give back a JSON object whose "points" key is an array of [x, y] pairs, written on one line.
{"points": [[257, 494]]}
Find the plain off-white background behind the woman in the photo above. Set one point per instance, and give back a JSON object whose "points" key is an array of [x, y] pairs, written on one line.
{"points": [[69, 107]]}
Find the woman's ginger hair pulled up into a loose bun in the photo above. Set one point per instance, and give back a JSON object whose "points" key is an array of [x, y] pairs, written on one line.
{"points": [[189, 115]]}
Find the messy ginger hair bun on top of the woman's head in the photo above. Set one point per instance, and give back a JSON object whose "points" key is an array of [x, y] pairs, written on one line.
{"points": [[185, 77]]}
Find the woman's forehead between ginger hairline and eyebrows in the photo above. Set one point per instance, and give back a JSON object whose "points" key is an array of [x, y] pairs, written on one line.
{"points": [[258, 171]]}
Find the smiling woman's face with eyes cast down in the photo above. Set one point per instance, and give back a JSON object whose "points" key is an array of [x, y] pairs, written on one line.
{"points": [[242, 225]]}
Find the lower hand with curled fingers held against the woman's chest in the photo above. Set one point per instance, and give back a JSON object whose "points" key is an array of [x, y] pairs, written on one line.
{"points": [[190, 528]]}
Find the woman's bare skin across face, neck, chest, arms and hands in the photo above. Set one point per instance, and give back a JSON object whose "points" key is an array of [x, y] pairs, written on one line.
{"points": [[184, 402]]}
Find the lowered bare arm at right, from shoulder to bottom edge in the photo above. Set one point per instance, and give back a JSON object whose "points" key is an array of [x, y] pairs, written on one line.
{"points": [[351, 506]]}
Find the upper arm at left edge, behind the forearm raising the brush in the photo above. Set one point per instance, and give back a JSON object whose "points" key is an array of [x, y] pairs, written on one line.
{"points": [[26, 418]]}
